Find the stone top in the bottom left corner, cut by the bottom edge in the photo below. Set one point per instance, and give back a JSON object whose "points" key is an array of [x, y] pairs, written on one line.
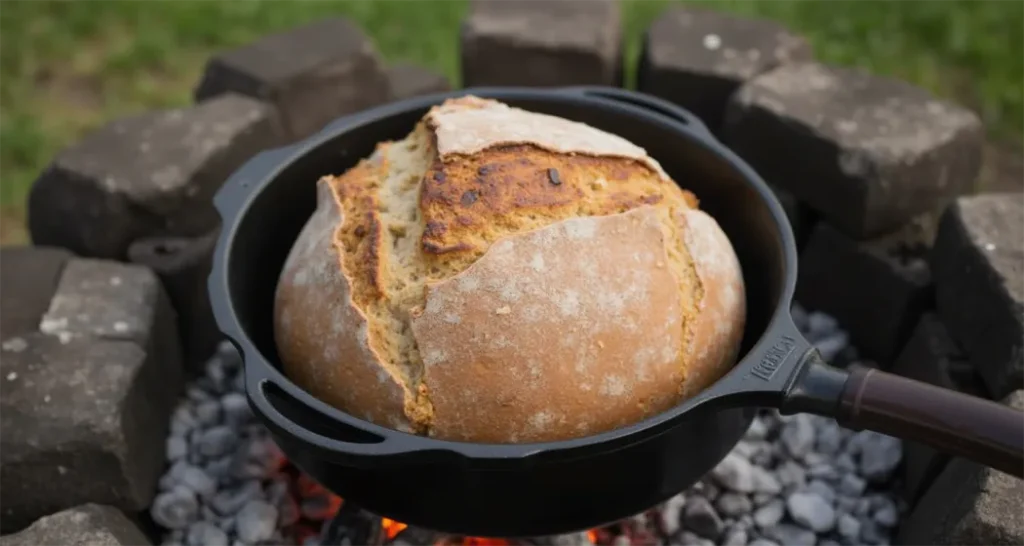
{"points": [[90, 525]]}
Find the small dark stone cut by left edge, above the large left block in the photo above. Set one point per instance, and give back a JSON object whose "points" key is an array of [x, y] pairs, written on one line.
{"points": [[28, 279]]}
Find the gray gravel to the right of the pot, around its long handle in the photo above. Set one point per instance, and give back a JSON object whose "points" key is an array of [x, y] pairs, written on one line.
{"points": [[797, 481]]}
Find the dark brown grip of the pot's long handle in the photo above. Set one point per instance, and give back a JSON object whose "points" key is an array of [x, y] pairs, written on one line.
{"points": [[960, 425]]}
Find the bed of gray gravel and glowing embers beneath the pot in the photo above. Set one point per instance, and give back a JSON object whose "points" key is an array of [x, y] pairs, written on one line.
{"points": [[793, 481]]}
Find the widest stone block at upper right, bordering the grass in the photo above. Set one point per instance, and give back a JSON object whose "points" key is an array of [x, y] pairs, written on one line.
{"points": [[868, 153]]}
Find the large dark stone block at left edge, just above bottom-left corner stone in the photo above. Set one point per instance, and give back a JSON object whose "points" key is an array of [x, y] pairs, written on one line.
{"points": [[84, 421]]}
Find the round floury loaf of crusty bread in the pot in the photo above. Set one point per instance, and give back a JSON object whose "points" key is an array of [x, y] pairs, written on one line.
{"points": [[501, 276]]}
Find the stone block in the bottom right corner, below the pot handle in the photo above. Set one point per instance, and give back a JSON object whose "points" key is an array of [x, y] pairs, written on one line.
{"points": [[969, 506]]}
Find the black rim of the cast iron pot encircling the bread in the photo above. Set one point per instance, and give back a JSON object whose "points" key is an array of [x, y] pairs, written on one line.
{"points": [[238, 193]]}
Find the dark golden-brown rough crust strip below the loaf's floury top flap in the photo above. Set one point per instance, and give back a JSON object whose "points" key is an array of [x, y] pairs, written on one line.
{"points": [[514, 187]]}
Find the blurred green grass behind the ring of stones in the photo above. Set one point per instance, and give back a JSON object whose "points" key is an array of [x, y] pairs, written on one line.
{"points": [[67, 66]]}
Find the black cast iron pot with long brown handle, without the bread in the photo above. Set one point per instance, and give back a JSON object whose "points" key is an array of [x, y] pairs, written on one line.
{"points": [[561, 487]]}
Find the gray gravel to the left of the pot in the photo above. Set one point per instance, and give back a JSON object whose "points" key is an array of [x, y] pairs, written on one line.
{"points": [[217, 491]]}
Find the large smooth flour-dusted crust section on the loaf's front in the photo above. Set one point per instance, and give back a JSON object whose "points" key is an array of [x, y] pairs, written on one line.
{"points": [[539, 341]]}
